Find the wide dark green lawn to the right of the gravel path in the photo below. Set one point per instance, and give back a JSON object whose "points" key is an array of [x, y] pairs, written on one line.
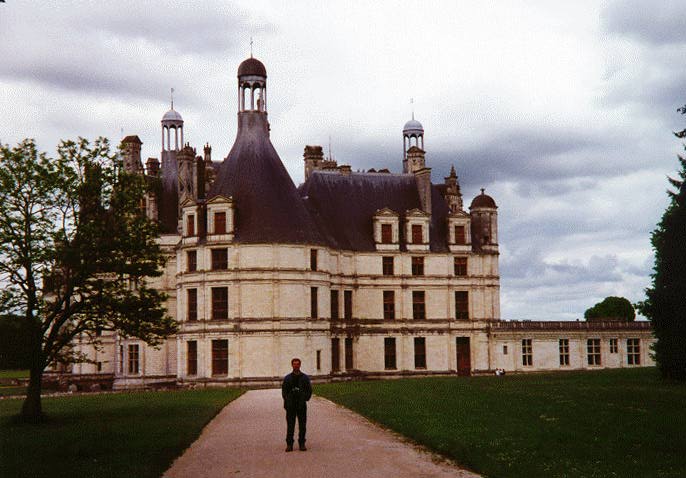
{"points": [[610, 423]]}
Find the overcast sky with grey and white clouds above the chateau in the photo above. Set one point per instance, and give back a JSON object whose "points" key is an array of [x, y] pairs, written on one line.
{"points": [[562, 111]]}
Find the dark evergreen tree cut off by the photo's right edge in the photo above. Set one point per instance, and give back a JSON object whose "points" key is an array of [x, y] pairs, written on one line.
{"points": [[665, 303]]}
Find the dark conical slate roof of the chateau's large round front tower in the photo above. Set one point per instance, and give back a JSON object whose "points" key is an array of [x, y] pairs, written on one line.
{"points": [[268, 206]]}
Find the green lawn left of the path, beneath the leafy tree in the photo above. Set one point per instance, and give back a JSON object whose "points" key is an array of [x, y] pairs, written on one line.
{"points": [[110, 435]]}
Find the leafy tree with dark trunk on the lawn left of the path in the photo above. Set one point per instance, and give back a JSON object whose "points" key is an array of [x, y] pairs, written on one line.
{"points": [[75, 250]]}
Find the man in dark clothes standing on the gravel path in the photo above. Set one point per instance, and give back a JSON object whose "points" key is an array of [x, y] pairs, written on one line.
{"points": [[296, 390]]}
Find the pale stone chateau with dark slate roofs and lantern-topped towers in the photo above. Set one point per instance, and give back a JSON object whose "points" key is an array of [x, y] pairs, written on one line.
{"points": [[372, 274]]}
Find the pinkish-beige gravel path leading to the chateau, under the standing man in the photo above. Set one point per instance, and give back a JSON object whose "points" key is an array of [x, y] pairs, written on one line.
{"points": [[247, 439]]}
